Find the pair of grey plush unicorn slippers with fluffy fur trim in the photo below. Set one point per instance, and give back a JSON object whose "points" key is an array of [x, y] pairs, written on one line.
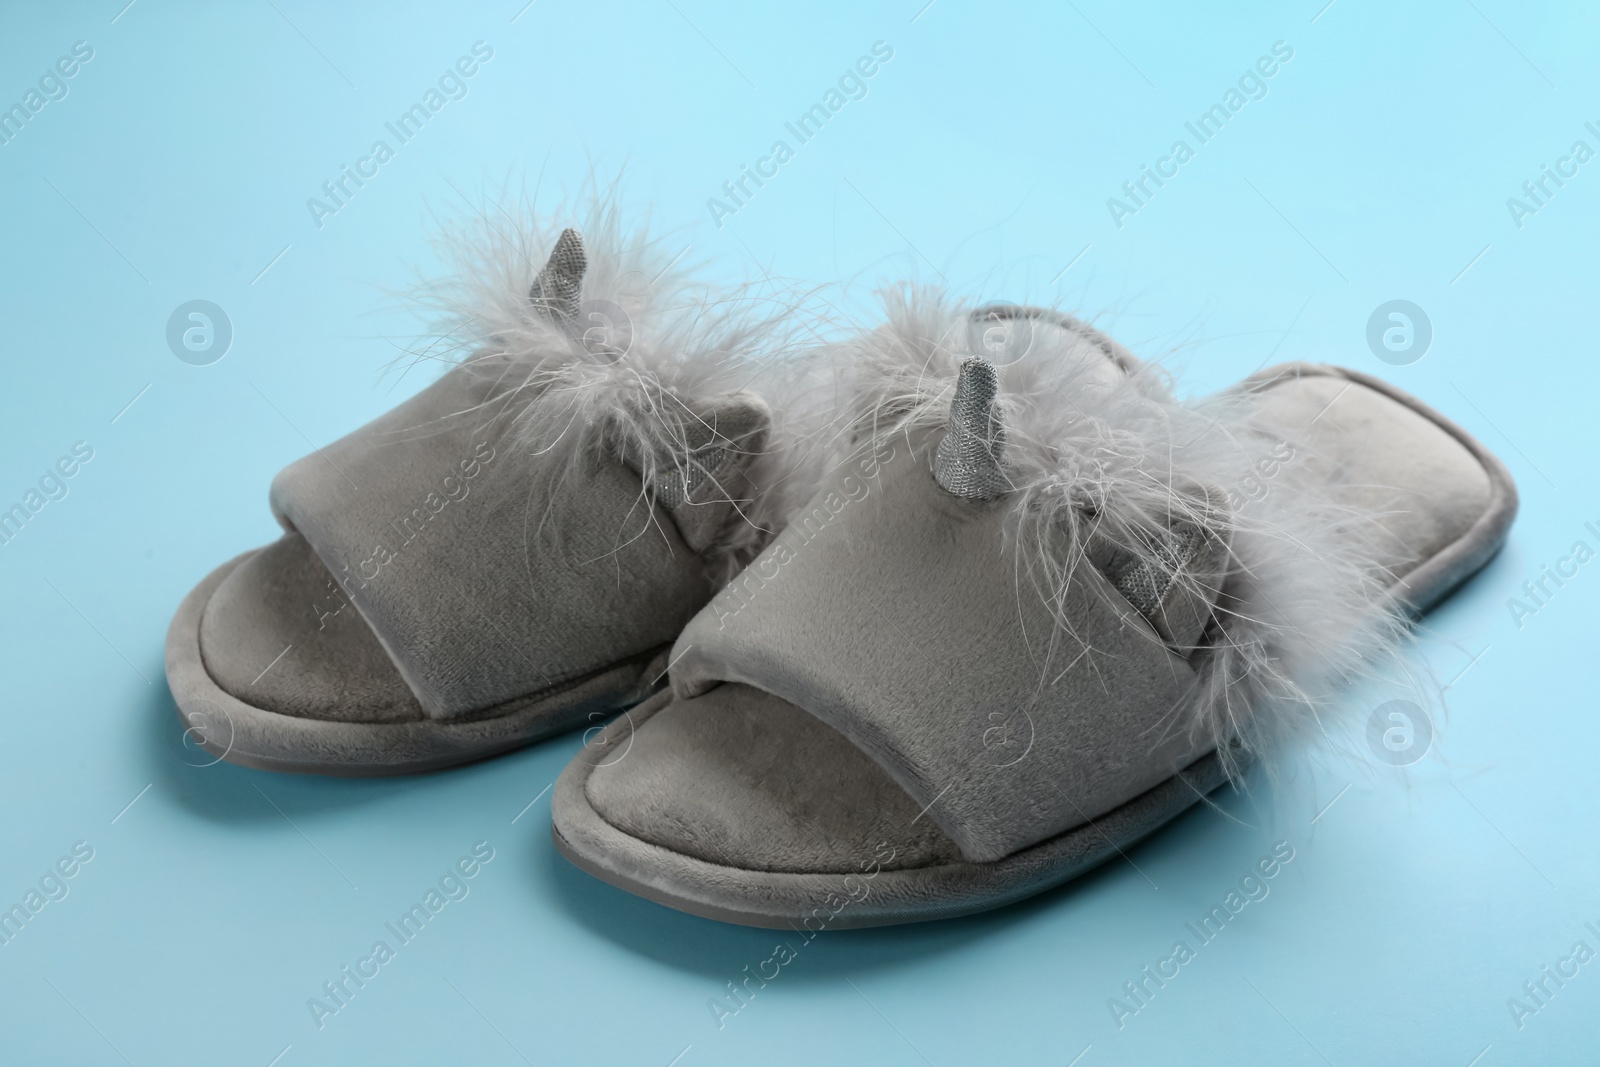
{"points": [[900, 628]]}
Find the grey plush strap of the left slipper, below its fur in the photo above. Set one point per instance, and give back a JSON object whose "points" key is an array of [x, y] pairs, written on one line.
{"points": [[486, 572]]}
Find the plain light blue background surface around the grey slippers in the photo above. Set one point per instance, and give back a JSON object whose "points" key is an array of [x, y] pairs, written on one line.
{"points": [[1378, 167]]}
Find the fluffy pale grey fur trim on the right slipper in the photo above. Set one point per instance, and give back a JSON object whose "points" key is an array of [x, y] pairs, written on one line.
{"points": [[1106, 465]]}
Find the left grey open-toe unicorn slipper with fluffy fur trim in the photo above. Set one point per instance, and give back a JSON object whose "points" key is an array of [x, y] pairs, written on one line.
{"points": [[513, 551]]}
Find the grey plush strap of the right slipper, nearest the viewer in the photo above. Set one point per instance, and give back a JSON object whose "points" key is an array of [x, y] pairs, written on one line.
{"points": [[894, 612]]}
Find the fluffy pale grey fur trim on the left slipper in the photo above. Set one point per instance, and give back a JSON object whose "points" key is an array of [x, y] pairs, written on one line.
{"points": [[639, 367]]}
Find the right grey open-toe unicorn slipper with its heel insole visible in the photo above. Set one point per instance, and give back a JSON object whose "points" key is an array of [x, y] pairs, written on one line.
{"points": [[1038, 613]]}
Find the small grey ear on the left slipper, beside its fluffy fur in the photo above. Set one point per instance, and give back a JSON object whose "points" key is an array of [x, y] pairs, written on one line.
{"points": [[708, 482]]}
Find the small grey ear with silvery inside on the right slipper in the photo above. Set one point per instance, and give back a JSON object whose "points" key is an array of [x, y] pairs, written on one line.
{"points": [[1174, 575]]}
